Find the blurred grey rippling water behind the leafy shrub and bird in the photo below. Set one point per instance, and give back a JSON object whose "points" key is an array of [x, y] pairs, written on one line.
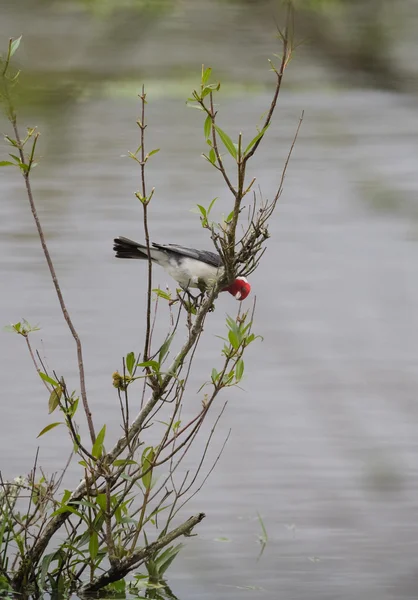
{"points": [[324, 437]]}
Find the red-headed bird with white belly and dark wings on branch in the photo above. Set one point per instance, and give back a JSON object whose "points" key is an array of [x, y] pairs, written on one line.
{"points": [[191, 268]]}
